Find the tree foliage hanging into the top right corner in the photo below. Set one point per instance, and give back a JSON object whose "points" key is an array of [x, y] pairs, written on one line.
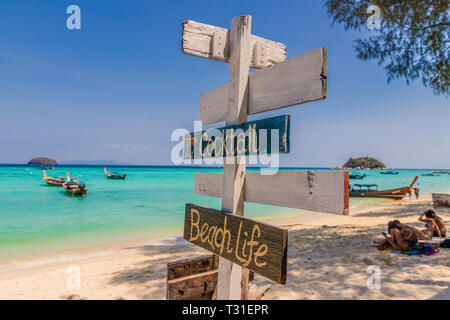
{"points": [[412, 43]]}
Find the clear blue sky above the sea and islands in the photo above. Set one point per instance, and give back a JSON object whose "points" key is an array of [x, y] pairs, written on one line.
{"points": [[117, 88]]}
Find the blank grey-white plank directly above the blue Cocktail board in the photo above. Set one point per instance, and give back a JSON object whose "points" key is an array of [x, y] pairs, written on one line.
{"points": [[298, 80]]}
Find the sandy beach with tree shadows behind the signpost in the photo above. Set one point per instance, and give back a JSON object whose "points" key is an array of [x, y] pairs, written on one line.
{"points": [[328, 257]]}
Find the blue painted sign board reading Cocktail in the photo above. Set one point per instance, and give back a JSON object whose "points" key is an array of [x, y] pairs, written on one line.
{"points": [[250, 138]]}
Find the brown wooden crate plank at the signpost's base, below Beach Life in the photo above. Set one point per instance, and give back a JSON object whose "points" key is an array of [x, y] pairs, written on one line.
{"points": [[194, 287]]}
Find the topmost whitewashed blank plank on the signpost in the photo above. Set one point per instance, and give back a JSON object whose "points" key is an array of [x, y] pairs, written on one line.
{"points": [[212, 42]]}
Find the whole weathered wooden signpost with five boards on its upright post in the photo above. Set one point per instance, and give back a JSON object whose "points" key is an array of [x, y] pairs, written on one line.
{"points": [[240, 243]]}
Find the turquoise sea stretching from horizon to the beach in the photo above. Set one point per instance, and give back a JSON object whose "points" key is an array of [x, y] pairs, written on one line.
{"points": [[40, 220]]}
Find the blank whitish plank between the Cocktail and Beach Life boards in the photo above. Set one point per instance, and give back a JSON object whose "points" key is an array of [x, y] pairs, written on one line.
{"points": [[322, 191]]}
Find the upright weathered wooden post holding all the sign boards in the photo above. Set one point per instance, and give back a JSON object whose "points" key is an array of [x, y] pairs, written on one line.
{"points": [[232, 280]]}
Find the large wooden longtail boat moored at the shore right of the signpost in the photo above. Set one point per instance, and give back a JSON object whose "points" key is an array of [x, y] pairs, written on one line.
{"points": [[371, 191]]}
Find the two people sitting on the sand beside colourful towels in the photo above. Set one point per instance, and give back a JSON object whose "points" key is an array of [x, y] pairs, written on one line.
{"points": [[403, 237]]}
